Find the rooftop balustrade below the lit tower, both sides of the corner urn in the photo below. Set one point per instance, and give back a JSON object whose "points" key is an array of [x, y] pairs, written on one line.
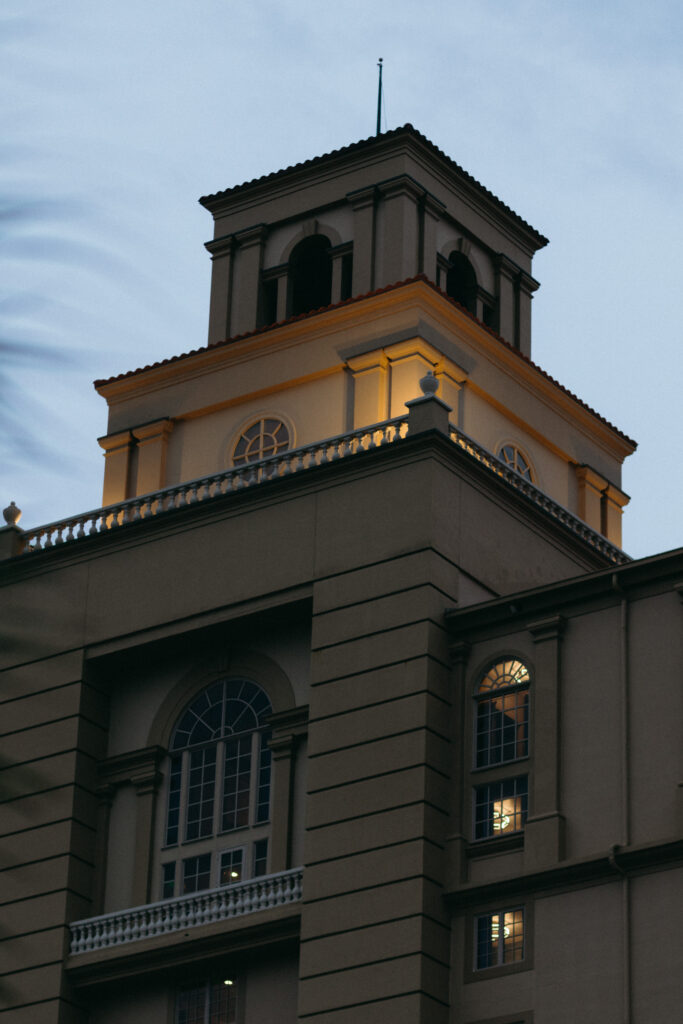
{"points": [[233, 482]]}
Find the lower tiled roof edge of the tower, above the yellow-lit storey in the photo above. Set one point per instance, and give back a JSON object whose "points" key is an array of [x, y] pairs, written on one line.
{"points": [[352, 302]]}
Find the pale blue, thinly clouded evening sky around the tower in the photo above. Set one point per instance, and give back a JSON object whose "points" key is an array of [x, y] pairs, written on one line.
{"points": [[117, 117]]}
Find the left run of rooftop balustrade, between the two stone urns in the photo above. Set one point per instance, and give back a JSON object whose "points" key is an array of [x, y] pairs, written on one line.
{"points": [[208, 488]]}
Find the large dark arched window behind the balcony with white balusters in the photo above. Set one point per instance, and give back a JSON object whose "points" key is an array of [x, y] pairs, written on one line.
{"points": [[219, 803]]}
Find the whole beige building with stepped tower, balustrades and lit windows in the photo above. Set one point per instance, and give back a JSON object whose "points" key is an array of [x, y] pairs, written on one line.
{"points": [[309, 732]]}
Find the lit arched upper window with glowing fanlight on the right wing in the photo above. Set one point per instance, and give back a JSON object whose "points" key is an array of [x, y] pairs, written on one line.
{"points": [[502, 714]]}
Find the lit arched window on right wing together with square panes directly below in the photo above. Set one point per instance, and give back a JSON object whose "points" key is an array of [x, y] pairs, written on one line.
{"points": [[502, 720]]}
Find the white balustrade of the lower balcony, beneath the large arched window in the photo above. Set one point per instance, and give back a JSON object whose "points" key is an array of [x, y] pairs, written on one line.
{"points": [[183, 913]]}
